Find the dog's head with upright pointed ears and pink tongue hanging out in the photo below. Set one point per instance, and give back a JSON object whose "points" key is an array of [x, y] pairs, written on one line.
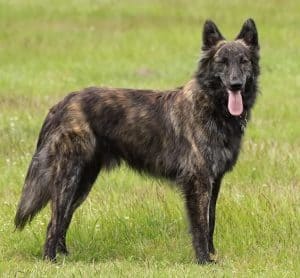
{"points": [[228, 70]]}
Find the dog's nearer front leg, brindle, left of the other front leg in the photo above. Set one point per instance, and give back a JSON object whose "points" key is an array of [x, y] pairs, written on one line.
{"points": [[197, 194]]}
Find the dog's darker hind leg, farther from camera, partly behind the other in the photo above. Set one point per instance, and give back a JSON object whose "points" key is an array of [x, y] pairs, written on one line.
{"points": [[88, 177]]}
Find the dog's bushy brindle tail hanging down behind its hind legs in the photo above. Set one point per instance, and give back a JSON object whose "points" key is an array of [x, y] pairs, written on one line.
{"points": [[36, 191]]}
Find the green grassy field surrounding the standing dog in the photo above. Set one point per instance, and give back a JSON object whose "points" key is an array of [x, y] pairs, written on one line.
{"points": [[132, 226]]}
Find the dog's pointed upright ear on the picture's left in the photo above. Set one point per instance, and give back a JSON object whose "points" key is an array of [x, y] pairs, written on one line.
{"points": [[211, 35]]}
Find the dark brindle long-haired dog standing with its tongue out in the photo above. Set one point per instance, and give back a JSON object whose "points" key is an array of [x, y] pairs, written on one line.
{"points": [[190, 135]]}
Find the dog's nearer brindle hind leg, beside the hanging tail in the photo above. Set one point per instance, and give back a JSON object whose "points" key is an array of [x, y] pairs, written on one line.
{"points": [[67, 175]]}
